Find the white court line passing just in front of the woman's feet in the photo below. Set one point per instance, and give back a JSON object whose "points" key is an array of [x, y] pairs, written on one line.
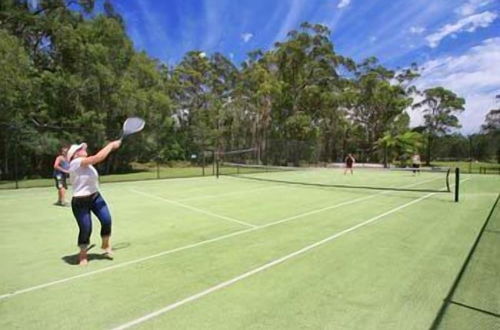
{"points": [[190, 246]]}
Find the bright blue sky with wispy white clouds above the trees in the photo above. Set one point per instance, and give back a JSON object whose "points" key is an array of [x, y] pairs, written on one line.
{"points": [[456, 42]]}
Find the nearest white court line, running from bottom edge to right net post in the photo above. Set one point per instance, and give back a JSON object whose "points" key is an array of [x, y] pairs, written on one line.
{"points": [[262, 268]]}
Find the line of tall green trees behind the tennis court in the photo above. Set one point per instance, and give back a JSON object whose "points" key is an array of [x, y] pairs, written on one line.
{"points": [[69, 73]]}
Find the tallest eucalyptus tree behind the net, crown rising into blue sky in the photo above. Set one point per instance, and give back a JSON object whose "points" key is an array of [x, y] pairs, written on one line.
{"points": [[312, 86]]}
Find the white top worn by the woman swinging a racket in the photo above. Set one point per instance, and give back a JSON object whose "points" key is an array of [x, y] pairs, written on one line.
{"points": [[84, 179]]}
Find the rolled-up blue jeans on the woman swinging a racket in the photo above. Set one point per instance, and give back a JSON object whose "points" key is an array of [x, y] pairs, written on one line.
{"points": [[82, 206]]}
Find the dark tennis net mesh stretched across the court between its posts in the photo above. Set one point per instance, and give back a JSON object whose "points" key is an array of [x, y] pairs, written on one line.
{"points": [[244, 164]]}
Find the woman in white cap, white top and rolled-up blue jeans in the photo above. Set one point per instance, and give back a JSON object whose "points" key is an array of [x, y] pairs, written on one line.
{"points": [[86, 196]]}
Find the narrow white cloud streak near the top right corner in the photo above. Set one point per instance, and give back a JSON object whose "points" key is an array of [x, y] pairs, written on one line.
{"points": [[469, 24]]}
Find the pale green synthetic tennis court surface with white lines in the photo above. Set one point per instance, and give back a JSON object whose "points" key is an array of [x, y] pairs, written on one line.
{"points": [[231, 253]]}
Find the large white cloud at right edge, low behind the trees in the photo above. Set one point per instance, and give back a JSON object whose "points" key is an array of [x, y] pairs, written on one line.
{"points": [[472, 75]]}
